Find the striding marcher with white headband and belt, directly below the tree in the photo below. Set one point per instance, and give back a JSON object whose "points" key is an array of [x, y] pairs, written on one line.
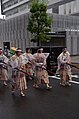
{"points": [[41, 72]]}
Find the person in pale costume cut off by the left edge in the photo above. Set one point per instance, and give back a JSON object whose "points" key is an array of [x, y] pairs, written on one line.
{"points": [[3, 67]]}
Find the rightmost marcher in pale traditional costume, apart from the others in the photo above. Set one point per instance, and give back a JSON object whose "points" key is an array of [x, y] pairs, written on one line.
{"points": [[64, 68]]}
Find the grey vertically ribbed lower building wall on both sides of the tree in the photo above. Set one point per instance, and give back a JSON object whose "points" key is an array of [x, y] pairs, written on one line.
{"points": [[14, 32]]}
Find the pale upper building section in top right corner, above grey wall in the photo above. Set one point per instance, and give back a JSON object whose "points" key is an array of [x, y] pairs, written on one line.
{"points": [[64, 7]]}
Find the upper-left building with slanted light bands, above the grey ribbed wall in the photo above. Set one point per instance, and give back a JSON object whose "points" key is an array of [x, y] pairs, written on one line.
{"points": [[12, 8]]}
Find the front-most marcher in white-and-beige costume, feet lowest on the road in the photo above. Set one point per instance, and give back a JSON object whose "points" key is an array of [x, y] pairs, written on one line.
{"points": [[19, 82]]}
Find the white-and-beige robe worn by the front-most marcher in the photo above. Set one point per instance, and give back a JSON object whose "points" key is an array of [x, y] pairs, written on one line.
{"points": [[19, 81]]}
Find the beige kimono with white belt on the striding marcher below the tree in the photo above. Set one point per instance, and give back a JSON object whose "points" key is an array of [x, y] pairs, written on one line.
{"points": [[41, 73]]}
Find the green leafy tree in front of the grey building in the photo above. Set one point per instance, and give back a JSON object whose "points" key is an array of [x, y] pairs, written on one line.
{"points": [[39, 21]]}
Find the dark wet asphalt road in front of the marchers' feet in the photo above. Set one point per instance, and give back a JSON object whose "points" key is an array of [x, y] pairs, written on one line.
{"points": [[57, 103]]}
